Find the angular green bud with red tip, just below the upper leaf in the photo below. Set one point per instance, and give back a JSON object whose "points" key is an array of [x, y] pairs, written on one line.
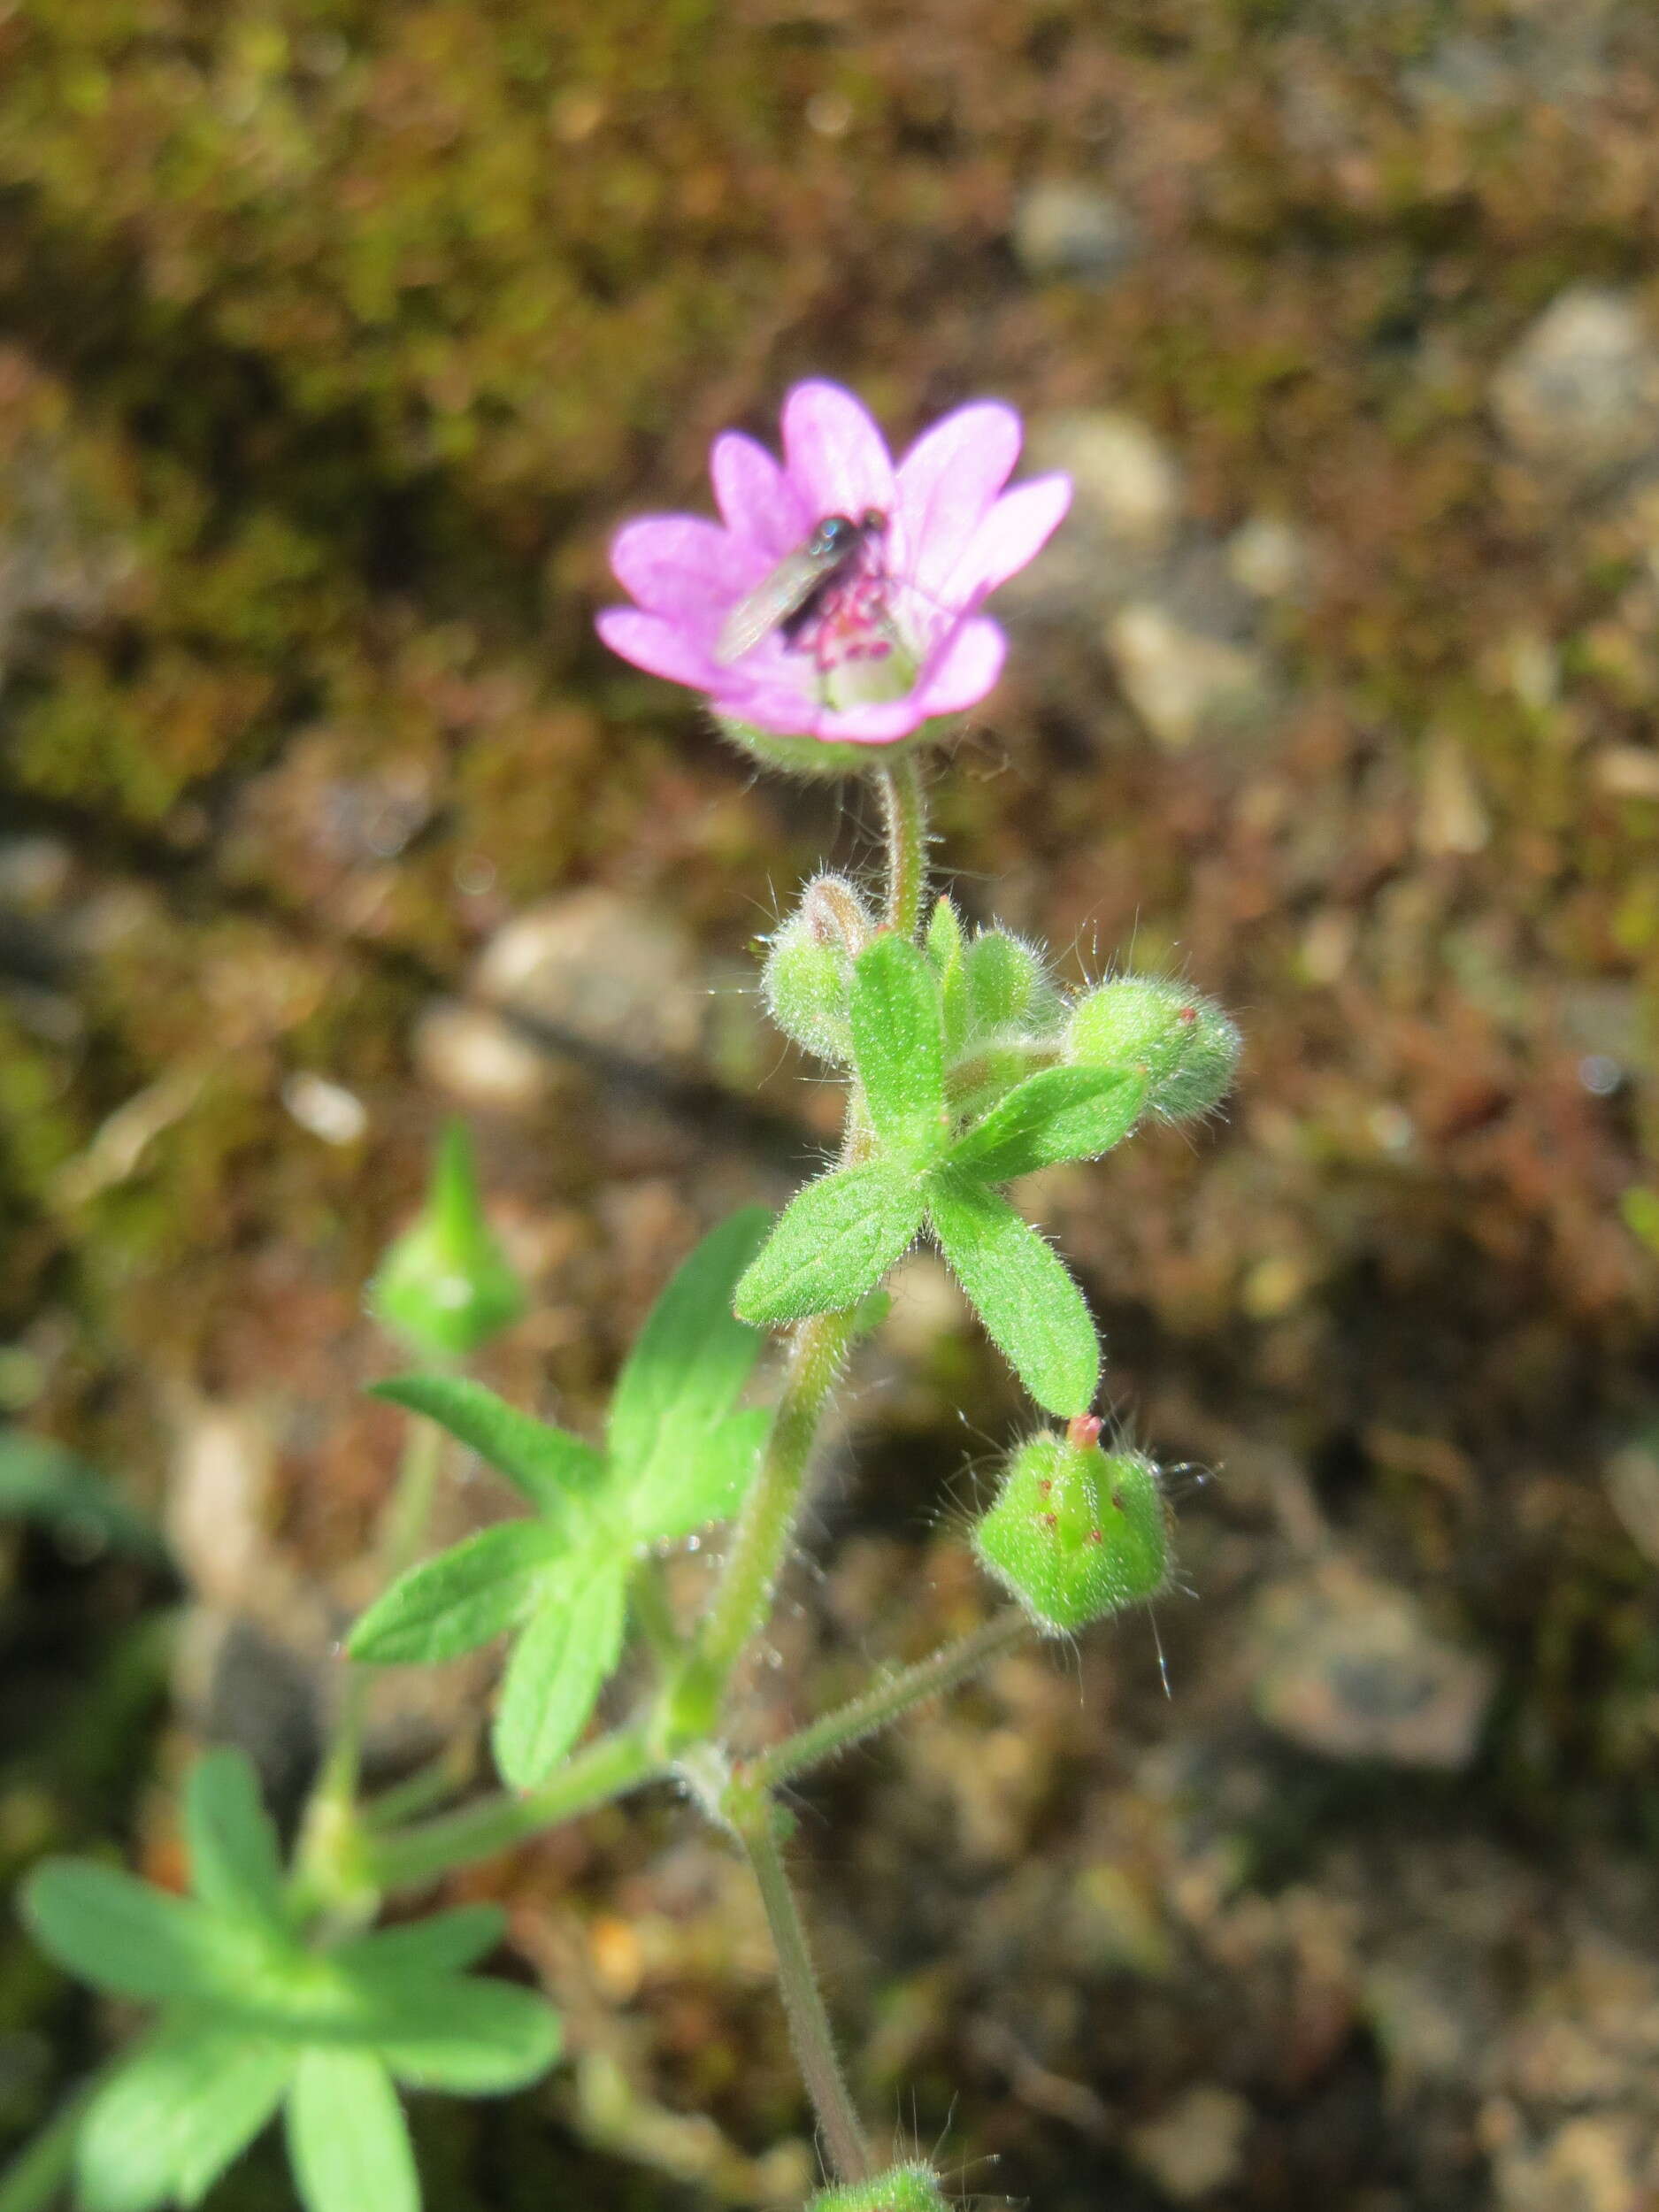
{"points": [[1076, 1532]]}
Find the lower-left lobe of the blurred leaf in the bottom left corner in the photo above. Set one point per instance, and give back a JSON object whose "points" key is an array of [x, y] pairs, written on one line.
{"points": [[182, 2107]]}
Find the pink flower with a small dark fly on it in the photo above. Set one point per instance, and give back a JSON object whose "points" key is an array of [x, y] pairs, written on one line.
{"points": [[888, 632]]}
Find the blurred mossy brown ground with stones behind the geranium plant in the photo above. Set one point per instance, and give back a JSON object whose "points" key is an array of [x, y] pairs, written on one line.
{"points": [[335, 340]]}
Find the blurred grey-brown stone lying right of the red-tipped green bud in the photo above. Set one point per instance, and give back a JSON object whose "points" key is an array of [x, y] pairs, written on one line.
{"points": [[1350, 1667]]}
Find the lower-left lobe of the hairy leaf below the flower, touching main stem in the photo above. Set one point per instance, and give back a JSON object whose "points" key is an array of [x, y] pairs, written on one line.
{"points": [[833, 1244]]}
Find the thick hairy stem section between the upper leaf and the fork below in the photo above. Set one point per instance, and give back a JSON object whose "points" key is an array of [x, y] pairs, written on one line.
{"points": [[769, 1512]]}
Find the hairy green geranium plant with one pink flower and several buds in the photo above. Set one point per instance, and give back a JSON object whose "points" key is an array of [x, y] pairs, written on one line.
{"points": [[833, 623]]}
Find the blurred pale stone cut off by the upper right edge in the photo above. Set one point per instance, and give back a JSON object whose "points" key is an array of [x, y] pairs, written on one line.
{"points": [[1580, 393]]}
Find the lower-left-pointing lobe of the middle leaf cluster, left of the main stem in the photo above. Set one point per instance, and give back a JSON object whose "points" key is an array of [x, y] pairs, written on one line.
{"points": [[459, 1600]]}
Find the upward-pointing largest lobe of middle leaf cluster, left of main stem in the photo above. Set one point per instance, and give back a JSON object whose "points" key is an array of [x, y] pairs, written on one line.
{"points": [[693, 1357]]}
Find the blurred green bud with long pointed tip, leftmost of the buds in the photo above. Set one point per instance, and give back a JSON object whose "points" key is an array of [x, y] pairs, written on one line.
{"points": [[446, 1286]]}
